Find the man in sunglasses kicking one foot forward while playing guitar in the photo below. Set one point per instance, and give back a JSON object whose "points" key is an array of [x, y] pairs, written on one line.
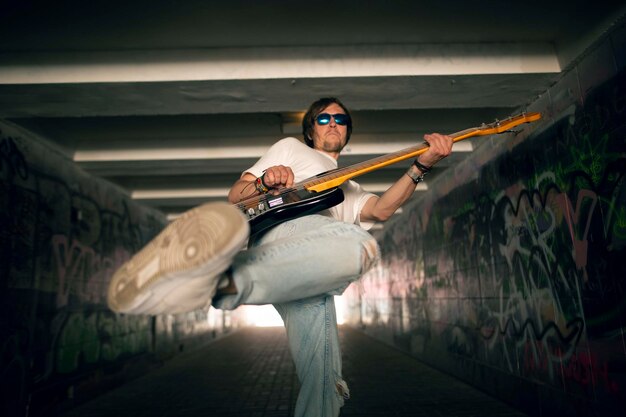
{"points": [[298, 266]]}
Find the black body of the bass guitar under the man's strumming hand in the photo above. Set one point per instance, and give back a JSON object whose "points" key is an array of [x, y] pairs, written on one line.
{"points": [[270, 210]]}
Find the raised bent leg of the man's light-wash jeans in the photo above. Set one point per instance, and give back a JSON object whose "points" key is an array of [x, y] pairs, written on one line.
{"points": [[306, 257]]}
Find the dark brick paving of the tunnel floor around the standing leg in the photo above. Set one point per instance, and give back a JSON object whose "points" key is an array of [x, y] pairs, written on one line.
{"points": [[250, 373]]}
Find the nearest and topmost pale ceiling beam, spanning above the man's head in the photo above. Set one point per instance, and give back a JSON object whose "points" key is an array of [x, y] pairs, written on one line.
{"points": [[277, 63]]}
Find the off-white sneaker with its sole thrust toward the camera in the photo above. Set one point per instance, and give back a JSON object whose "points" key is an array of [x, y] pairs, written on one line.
{"points": [[178, 271]]}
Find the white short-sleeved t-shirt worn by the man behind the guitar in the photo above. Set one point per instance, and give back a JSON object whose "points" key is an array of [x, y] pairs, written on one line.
{"points": [[306, 162]]}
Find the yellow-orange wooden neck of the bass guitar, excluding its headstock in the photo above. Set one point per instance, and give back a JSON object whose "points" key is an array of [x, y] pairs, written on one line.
{"points": [[337, 177]]}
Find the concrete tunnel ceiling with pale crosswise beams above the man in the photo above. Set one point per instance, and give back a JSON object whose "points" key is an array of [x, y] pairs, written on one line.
{"points": [[172, 100]]}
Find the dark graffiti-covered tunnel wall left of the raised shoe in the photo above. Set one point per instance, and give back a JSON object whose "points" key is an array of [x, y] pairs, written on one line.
{"points": [[62, 234]]}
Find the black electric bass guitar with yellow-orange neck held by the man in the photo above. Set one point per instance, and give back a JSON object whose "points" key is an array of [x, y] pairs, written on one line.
{"points": [[322, 191]]}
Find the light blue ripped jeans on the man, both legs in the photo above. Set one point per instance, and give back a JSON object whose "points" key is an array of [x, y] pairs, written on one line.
{"points": [[298, 266]]}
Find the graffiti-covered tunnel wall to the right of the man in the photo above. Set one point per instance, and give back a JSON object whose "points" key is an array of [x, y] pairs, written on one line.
{"points": [[511, 276]]}
